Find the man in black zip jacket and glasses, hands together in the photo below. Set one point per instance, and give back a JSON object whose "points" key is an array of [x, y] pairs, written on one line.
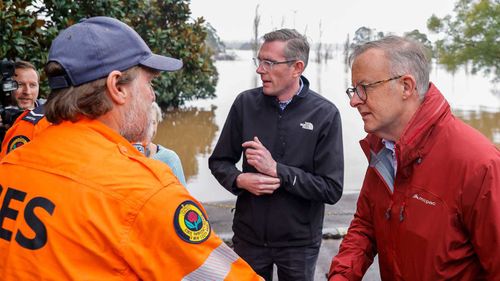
{"points": [[291, 141]]}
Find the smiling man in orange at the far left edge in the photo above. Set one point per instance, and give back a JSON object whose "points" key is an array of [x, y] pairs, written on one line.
{"points": [[30, 122]]}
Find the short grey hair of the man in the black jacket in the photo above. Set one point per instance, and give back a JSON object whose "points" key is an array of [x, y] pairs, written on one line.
{"points": [[297, 46]]}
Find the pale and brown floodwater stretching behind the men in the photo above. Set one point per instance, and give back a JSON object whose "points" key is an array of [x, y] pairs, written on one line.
{"points": [[193, 130]]}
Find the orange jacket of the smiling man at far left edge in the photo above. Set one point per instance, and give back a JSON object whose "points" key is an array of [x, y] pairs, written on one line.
{"points": [[27, 126]]}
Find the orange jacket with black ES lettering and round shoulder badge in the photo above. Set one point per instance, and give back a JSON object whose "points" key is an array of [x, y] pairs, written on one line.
{"points": [[81, 203]]}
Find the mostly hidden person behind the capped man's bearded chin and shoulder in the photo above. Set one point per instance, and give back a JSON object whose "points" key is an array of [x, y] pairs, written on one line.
{"points": [[157, 151]]}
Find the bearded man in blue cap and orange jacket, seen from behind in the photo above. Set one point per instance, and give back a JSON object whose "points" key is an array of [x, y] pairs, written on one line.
{"points": [[90, 206]]}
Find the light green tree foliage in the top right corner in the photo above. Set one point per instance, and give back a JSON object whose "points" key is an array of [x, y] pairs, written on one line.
{"points": [[470, 37]]}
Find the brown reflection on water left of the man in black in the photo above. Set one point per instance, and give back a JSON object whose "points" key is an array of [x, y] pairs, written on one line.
{"points": [[189, 132]]}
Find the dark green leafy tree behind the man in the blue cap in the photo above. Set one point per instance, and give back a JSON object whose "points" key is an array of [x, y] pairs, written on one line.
{"points": [[28, 27]]}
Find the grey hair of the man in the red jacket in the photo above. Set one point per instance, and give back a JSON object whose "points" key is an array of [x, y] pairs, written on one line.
{"points": [[405, 56]]}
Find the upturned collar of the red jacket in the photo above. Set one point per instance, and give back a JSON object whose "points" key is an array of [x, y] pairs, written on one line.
{"points": [[414, 142]]}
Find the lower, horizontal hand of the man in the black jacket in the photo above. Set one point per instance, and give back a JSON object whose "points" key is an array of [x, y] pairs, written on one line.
{"points": [[257, 184]]}
